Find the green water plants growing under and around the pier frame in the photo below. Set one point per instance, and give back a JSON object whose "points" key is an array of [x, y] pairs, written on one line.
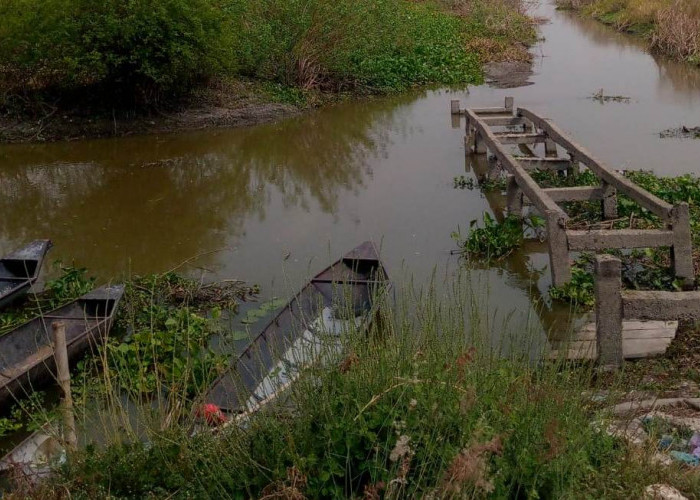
{"points": [[647, 269]]}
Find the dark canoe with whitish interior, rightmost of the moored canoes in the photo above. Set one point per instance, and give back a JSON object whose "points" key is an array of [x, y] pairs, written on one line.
{"points": [[342, 298]]}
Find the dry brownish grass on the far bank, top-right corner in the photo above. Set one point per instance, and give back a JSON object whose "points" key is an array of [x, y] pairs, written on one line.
{"points": [[671, 26]]}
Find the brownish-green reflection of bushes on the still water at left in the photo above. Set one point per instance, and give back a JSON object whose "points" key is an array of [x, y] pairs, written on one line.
{"points": [[149, 203]]}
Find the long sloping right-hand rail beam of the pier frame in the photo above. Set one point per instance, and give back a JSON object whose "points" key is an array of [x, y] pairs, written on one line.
{"points": [[620, 182]]}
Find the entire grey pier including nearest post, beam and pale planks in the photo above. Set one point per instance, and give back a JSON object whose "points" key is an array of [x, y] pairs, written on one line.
{"points": [[628, 324]]}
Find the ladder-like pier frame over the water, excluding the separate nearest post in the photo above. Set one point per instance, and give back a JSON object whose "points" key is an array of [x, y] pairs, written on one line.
{"points": [[562, 153]]}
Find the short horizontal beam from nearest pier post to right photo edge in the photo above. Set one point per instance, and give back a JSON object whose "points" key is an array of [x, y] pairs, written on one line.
{"points": [[659, 305]]}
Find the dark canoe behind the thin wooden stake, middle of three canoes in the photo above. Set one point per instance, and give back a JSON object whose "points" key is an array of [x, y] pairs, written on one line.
{"points": [[26, 353]]}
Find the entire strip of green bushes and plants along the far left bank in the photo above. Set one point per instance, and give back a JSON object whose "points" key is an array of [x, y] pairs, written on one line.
{"points": [[144, 49]]}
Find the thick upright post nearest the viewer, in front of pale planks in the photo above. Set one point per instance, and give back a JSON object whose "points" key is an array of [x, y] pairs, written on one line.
{"points": [[608, 309]]}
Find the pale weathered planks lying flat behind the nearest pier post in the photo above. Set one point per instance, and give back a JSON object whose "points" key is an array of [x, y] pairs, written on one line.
{"points": [[640, 339]]}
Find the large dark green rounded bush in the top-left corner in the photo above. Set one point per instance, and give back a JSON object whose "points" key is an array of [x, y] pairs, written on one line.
{"points": [[144, 47]]}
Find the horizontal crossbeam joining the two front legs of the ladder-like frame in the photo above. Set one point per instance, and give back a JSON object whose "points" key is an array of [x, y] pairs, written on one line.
{"points": [[601, 239]]}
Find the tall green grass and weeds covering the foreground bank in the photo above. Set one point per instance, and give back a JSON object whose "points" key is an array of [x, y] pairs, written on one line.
{"points": [[427, 405]]}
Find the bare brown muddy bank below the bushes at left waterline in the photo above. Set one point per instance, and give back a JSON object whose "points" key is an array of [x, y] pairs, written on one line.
{"points": [[235, 104]]}
